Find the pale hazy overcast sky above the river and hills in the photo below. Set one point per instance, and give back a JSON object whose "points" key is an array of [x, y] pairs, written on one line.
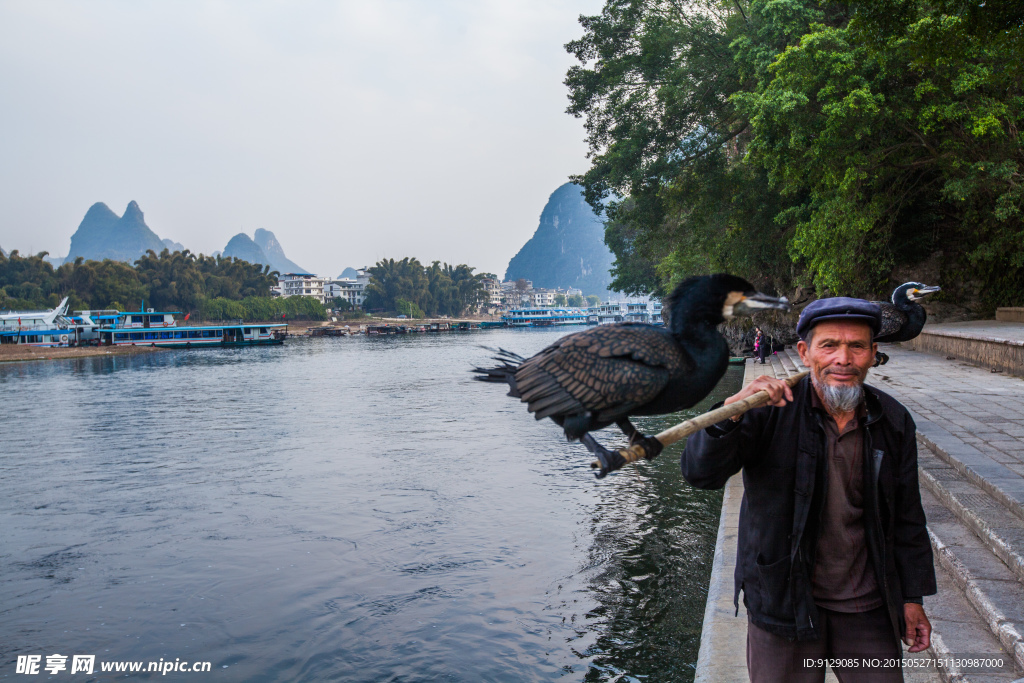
{"points": [[354, 131]]}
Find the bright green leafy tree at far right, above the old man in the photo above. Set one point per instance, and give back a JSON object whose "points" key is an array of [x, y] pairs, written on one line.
{"points": [[899, 132]]}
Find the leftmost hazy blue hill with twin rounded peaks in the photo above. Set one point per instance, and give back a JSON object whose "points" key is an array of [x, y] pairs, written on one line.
{"points": [[105, 235]]}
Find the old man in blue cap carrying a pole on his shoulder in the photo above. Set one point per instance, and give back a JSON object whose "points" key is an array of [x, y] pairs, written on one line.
{"points": [[834, 558]]}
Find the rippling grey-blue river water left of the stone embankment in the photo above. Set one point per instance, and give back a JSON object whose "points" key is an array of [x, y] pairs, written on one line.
{"points": [[336, 509]]}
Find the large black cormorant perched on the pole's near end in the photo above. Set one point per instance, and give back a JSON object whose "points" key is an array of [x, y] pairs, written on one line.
{"points": [[589, 380]]}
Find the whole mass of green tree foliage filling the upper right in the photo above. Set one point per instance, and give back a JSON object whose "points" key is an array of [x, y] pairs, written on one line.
{"points": [[797, 142]]}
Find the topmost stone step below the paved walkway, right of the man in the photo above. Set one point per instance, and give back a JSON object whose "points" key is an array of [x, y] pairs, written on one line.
{"points": [[999, 529]]}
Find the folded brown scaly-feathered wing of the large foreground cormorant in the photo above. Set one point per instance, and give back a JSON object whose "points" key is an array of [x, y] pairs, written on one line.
{"points": [[608, 371]]}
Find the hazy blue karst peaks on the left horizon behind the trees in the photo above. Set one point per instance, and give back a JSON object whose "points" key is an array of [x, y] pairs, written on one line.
{"points": [[105, 235]]}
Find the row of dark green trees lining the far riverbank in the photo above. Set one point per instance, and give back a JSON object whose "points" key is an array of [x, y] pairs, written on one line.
{"points": [[219, 288]]}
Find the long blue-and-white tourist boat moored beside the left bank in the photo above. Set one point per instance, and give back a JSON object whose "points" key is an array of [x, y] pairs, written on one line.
{"points": [[151, 328]]}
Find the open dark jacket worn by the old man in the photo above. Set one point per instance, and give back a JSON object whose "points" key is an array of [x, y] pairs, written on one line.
{"points": [[782, 453]]}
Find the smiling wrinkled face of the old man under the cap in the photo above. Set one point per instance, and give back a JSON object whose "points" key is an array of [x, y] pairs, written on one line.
{"points": [[840, 354]]}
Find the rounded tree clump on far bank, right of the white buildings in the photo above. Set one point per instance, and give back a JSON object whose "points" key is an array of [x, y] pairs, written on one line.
{"points": [[435, 290]]}
